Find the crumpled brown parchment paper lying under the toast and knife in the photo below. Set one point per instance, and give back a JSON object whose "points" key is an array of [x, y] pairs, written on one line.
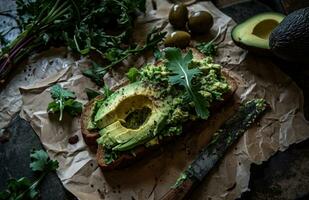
{"points": [[153, 176]]}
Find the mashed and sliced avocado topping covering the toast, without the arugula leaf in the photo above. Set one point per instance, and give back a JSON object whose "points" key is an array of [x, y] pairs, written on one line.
{"points": [[146, 111]]}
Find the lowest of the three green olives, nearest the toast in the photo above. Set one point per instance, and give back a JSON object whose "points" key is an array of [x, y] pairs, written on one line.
{"points": [[179, 39]]}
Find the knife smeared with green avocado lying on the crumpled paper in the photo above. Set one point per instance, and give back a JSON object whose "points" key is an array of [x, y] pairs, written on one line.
{"points": [[230, 131]]}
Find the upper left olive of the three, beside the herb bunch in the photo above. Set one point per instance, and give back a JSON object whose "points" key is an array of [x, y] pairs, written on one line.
{"points": [[178, 16]]}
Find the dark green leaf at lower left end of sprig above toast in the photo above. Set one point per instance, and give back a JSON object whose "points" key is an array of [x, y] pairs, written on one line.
{"points": [[95, 73]]}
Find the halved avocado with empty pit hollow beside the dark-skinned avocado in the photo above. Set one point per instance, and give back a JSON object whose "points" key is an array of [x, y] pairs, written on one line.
{"points": [[253, 34]]}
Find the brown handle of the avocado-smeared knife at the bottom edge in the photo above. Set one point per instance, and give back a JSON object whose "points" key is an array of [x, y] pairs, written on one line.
{"points": [[181, 191]]}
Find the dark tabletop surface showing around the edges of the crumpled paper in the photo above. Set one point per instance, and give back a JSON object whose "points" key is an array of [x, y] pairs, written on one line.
{"points": [[284, 176]]}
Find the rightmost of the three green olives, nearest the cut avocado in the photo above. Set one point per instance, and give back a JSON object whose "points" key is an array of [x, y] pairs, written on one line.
{"points": [[200, 22]]}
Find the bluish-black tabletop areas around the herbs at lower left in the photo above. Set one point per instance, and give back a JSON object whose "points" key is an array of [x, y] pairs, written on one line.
{"points": [[15, 160]]}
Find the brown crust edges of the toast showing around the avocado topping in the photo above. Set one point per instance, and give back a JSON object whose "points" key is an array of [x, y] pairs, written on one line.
{"points": [[141, 151]]}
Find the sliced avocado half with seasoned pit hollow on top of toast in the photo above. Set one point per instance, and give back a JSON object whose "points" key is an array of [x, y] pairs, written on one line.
{"points": [[131, 116]]}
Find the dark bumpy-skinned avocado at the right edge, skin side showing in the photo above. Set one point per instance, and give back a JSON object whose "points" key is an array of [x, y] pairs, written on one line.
{"points": [[290, 39]]}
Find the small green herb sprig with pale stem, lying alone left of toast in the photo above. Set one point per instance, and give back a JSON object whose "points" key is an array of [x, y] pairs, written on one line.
{"points": [[63, 101]]}
